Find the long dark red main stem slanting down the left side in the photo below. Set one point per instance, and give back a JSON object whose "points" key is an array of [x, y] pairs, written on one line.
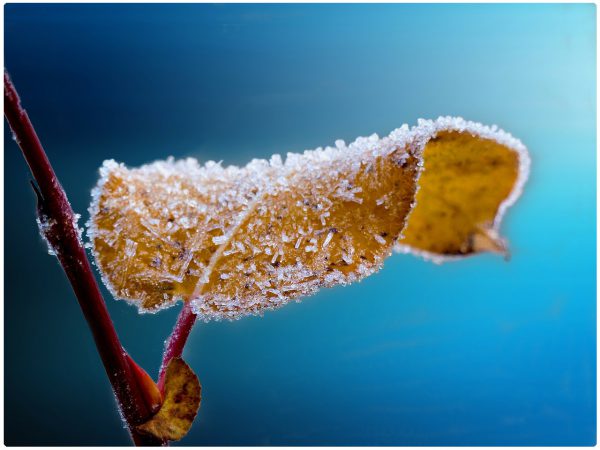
{"points": [[60, 229]]}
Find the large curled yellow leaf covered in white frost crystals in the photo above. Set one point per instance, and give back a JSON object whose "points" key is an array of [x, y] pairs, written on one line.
{"points": [[237, 241]]}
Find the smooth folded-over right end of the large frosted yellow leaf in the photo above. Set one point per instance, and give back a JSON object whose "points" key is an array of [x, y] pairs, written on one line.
{"points": [[468, 181]]}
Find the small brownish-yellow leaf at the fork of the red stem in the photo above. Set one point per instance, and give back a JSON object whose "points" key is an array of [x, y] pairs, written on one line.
{"points": [[180, 406]]}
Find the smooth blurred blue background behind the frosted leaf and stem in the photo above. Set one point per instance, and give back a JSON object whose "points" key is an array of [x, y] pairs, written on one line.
{"points": [[477, 352]]}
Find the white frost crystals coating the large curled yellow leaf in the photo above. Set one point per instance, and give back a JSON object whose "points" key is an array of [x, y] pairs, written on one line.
{"points": [[276, 174]]}
